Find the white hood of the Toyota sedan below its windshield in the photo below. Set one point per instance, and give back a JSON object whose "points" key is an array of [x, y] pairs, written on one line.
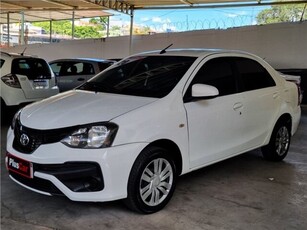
{"points": [[78, 107]]}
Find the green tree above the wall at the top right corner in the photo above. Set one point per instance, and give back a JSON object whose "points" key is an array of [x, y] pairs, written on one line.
{"points": [[282, 13]]}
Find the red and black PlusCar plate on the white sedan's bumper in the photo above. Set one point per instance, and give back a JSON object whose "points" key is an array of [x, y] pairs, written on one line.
{"points": [[19, 166]]}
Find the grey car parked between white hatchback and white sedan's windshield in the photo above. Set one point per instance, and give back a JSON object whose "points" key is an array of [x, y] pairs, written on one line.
{"points": [[73, 72]]}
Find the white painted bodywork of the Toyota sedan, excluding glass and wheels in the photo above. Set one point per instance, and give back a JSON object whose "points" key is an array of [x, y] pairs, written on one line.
{"points": [[205, 131]]}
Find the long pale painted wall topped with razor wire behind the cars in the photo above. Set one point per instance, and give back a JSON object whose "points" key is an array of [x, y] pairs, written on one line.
{"points": [[282, 45]]}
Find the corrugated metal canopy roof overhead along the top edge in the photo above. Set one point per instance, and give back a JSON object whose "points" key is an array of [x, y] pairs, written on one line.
{"points": [[47, 10]]}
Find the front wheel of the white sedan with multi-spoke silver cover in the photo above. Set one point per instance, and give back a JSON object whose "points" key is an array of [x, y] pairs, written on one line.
{"points": [[152, 181]]}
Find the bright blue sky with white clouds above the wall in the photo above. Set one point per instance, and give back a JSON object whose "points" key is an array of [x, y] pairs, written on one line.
{"points": [[190, 19]]}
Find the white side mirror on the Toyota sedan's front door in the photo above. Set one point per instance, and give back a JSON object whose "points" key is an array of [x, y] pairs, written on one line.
{"points": [[202, 91]]}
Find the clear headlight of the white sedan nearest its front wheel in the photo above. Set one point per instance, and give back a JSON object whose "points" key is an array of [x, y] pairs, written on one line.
{"points": [[92, 136]]}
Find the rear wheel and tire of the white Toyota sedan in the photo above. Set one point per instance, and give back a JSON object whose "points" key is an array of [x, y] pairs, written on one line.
{"points": [[279, 144]]}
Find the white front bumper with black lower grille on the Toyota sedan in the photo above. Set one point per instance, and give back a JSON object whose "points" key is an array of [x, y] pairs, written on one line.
{"points": [[79, 174]]}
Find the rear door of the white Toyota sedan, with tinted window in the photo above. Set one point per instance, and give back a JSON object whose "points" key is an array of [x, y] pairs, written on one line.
{"points": [[261, 101]]}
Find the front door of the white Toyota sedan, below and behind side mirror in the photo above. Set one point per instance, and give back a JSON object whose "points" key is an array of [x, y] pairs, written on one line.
{"points": [[214, 125]]}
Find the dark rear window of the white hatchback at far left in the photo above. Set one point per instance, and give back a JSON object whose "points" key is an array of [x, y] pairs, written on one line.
{"points": [[33, 68]]}
